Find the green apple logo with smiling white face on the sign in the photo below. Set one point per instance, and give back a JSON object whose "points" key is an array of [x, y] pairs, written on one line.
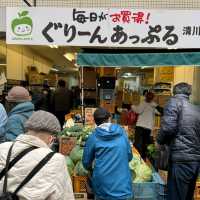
{"points": [[23, 25]]}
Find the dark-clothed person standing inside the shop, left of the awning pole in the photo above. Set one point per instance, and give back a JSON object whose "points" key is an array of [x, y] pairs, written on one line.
{"points": [[61, 101]]}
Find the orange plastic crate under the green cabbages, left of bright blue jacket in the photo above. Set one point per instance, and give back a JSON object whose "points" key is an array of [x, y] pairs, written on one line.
{"points": [[79, 184]]}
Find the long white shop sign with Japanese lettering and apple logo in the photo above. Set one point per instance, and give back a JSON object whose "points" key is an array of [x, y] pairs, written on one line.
{"points": [[104, 27]]}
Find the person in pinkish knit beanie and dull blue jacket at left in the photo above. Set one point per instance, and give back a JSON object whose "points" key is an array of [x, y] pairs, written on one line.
{"points": [[21, 108]]}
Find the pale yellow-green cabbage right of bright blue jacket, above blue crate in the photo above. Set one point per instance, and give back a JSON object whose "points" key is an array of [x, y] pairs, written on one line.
{"points": [[141, 172]]}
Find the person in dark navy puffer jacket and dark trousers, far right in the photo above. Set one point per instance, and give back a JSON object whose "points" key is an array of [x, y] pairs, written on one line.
{"points": [[180, 129]]}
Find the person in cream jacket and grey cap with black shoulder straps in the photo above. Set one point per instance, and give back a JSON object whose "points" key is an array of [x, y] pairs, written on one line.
{"points": [[53, 180]]}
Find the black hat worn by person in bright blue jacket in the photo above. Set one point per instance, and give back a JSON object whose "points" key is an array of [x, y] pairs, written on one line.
{"points": [[101, 115]]}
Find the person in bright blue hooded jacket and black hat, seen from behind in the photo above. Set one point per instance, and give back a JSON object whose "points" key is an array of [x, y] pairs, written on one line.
{"points": [[108, 151]]}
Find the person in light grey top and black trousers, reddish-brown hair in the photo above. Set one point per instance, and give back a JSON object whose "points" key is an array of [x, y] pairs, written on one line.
{"points": [[145, 123]]}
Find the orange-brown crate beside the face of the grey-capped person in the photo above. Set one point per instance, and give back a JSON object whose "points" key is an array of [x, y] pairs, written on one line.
{"points": [[66, 144]]}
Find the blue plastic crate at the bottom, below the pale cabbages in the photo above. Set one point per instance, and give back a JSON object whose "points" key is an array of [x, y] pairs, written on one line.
{"points": [[155, 190]]}
